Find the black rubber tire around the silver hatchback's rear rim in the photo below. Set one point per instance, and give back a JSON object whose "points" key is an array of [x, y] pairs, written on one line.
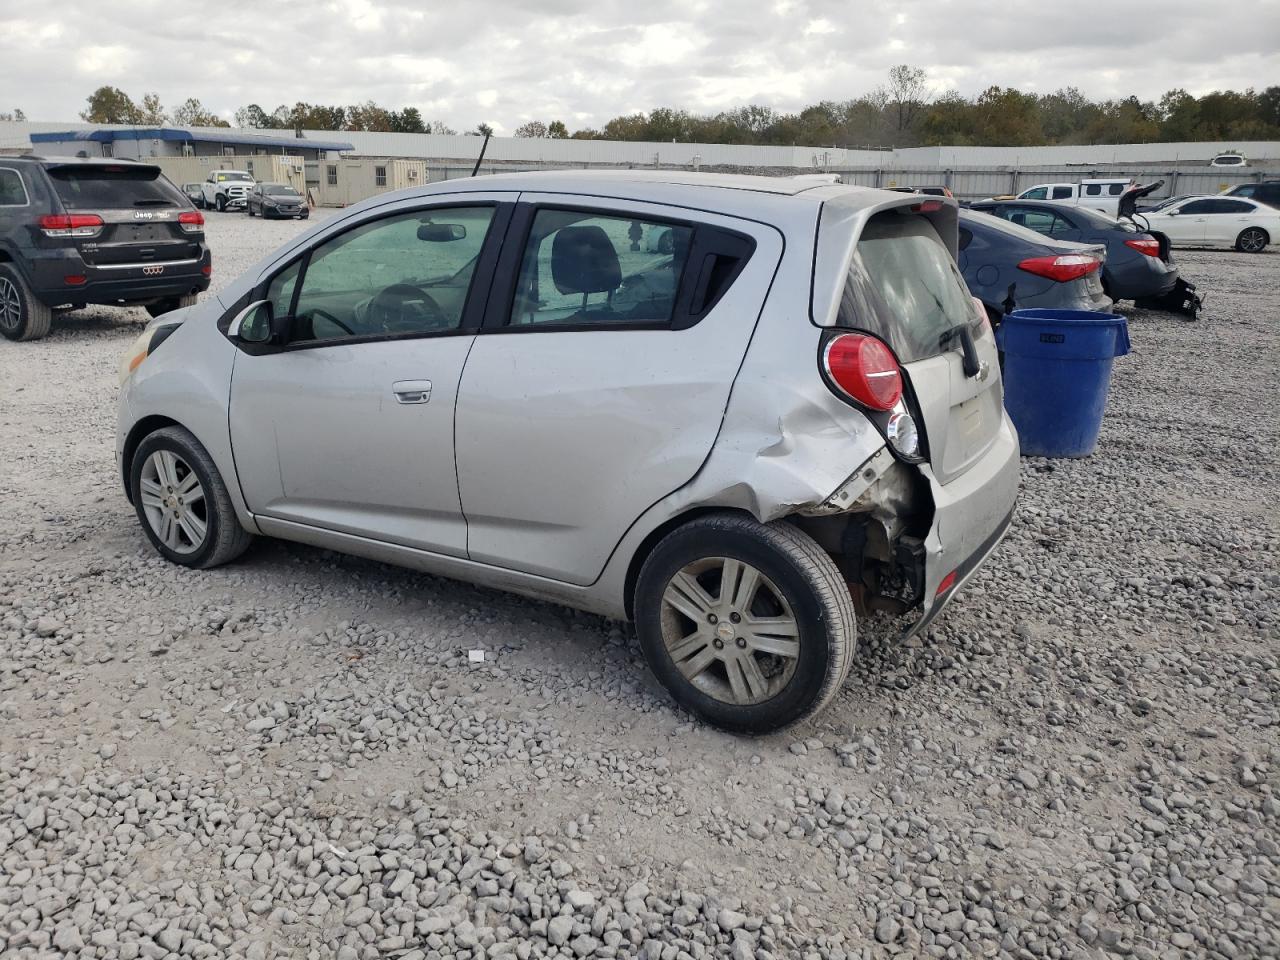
{"points": [[803, 574]]}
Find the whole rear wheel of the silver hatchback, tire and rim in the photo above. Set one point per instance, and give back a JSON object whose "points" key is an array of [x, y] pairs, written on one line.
{"points": [[748, 625]]}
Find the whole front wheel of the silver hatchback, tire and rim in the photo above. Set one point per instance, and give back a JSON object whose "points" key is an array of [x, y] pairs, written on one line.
{"points": [[184, 504]]}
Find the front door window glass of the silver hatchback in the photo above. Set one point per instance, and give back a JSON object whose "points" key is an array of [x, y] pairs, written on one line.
{"points": [[406, 275]]}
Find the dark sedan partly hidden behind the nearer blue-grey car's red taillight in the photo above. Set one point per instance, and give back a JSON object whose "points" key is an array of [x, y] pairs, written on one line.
{"points": [[1139, 264]]}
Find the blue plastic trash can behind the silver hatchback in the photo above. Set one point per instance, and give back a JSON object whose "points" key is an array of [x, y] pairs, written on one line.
{"points": [[1058, 372]]}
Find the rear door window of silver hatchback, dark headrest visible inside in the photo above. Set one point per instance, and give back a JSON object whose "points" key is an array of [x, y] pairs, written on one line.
{"points": [[583, 268]]}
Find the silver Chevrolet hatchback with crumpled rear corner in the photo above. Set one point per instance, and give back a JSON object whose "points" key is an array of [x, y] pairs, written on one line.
{"points": [[789, 415]]}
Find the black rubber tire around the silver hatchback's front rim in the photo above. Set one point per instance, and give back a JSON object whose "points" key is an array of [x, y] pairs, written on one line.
{"points": [[225, 537]]}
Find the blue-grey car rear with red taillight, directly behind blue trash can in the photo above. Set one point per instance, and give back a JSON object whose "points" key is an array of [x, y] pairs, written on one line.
{"points": [[1008, 267]]}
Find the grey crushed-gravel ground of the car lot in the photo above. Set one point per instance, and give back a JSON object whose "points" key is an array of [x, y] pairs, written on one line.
{"points": [[292, 757]]}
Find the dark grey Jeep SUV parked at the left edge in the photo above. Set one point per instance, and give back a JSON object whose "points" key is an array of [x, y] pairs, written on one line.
{"points": [[77, 231]]}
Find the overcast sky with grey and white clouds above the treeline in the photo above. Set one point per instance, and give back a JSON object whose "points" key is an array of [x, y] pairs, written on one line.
{"points": [[506, 62]]}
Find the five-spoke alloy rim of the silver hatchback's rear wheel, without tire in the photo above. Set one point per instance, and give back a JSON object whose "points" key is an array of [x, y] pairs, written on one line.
{"points": [[730, 632]]}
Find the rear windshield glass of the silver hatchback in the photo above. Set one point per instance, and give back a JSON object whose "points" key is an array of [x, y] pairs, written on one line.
{"points": [[904, 287]]}
